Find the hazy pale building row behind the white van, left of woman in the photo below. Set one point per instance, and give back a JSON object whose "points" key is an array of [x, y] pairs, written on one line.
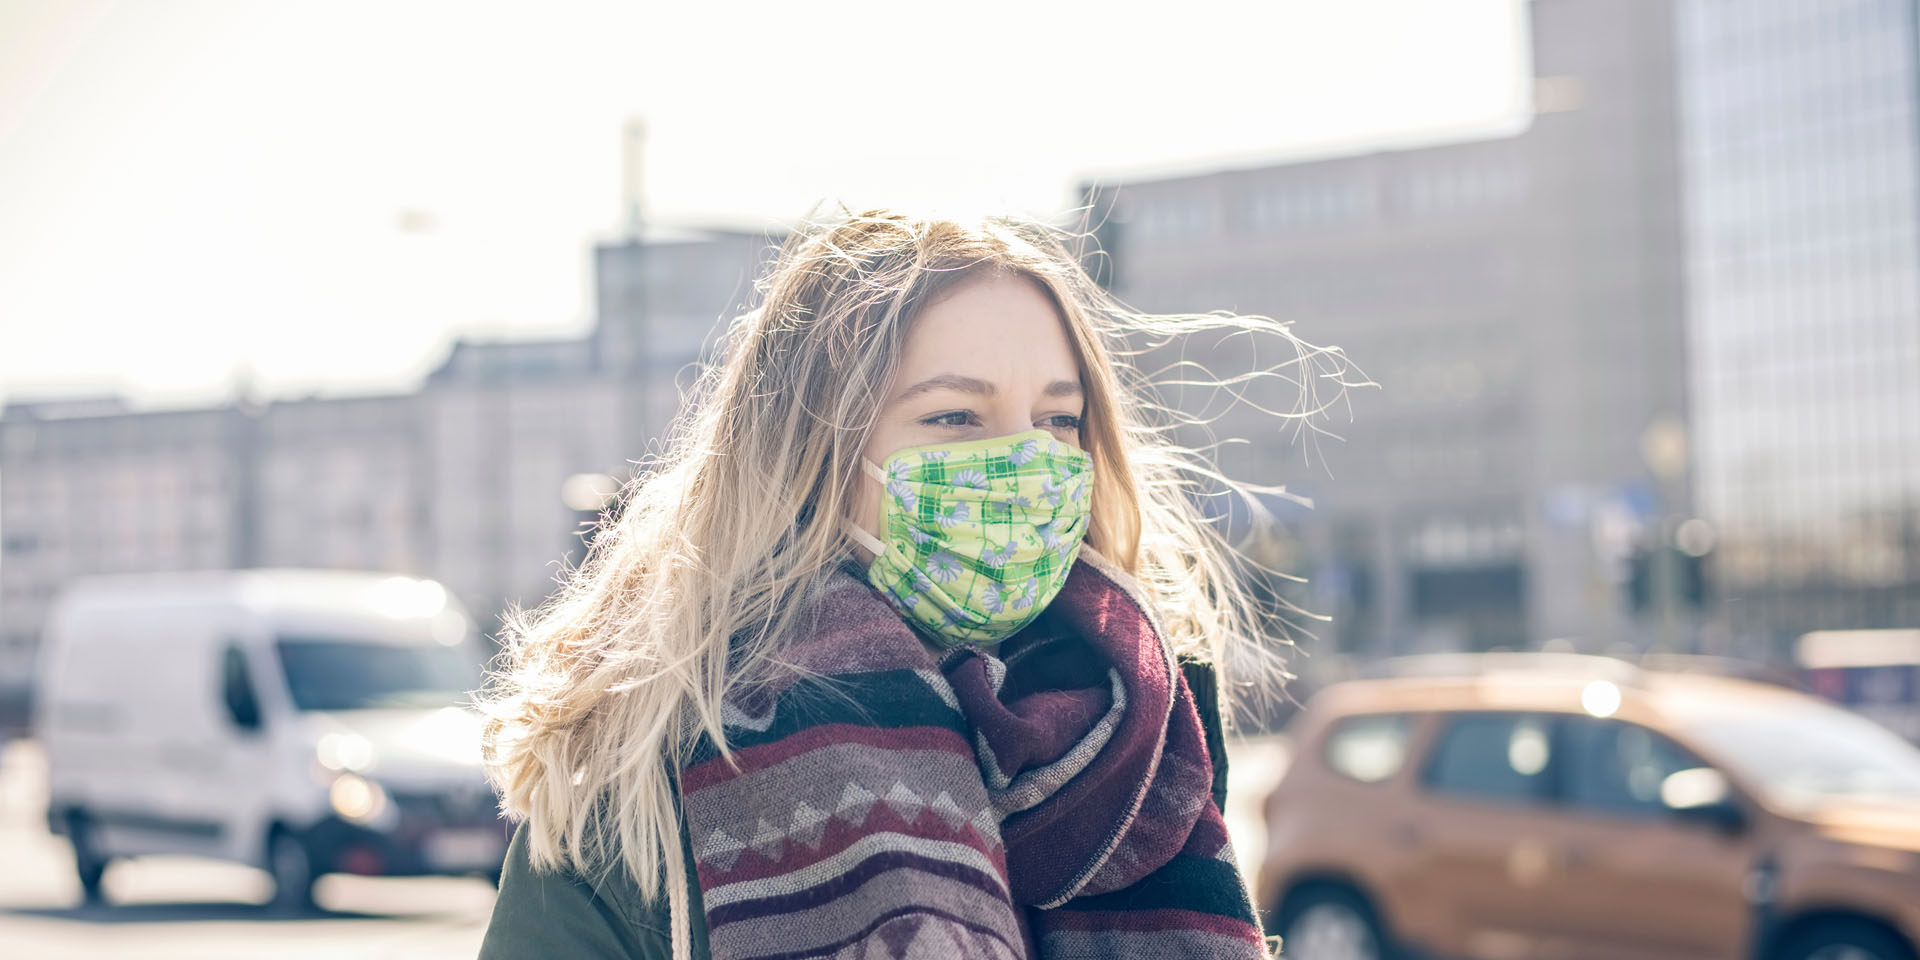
{"points": [[460, 481]]}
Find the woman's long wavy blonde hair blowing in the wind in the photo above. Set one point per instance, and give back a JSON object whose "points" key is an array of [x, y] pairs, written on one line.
{"points": [[604, 690]]}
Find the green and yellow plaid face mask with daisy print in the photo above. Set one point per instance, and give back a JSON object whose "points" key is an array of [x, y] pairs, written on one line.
{"points": [[978, 537]]}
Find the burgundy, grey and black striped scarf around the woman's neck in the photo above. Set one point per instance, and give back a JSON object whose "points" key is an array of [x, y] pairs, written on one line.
{"points": [[1049, 800]]}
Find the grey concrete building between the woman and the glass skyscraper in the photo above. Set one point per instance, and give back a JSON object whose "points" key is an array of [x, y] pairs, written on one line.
{"points": [[1522, 304]]}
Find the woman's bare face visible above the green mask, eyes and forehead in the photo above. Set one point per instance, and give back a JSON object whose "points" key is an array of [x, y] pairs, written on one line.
{"points": [[992, 358]]}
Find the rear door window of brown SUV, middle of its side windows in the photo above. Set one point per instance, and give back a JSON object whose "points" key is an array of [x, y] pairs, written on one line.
{"points": [[1493, 756]]}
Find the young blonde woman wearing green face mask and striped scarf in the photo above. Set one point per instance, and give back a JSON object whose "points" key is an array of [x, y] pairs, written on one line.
{"points": [[903, 650]]}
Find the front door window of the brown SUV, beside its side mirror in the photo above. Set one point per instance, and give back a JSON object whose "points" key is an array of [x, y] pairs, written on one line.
{"points": [[1618, 769]]}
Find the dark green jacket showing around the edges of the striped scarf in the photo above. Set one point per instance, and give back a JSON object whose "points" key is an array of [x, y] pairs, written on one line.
{"points": [[569, 915]]}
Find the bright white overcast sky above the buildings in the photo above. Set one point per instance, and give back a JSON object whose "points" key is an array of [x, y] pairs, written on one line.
{"points": [[325, 195]]}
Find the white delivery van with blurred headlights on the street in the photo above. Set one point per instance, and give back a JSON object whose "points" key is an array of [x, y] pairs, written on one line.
{"points": [[300, 721]]}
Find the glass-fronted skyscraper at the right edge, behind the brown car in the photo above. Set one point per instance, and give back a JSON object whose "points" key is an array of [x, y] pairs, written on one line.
{"points": [[1802, 206]]}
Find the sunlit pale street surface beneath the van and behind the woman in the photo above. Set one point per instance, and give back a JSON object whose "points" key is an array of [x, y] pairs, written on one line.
{"points": [[176, 907]]}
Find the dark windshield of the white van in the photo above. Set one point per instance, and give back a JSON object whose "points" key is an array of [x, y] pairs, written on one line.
{"points": [[356, 675]]}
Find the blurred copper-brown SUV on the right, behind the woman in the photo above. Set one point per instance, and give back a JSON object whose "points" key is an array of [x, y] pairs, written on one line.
{"points": [[1504, 807]]}
